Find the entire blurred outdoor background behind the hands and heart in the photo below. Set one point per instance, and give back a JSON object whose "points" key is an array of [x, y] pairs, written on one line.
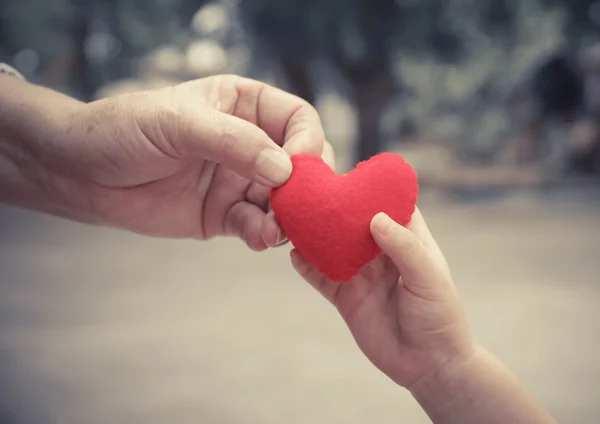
{"points": [[496, 103]]}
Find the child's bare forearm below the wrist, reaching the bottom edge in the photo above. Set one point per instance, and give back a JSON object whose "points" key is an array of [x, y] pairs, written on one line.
{"points": [[478, 390]]}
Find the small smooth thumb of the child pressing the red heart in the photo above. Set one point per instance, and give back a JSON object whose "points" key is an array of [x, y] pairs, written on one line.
{"points": [[420, 273]]}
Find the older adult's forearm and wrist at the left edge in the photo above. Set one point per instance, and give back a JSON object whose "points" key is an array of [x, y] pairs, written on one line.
{"points": [[32, 120]]}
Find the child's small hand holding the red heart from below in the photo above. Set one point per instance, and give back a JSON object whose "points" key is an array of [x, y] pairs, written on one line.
{"points": [[403, 309]]}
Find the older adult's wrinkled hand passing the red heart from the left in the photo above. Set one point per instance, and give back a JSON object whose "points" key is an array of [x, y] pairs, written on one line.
{"points": [[194, 160]]}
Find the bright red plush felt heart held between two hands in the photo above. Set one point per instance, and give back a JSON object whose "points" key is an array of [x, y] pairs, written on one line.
{"points": [[327, 217]]}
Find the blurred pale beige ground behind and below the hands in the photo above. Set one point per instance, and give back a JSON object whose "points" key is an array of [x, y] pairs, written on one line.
{"points": [[101, 326]]}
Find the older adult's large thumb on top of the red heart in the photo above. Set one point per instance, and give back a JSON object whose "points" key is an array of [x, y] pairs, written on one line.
{"points": [[237, 144]]}
